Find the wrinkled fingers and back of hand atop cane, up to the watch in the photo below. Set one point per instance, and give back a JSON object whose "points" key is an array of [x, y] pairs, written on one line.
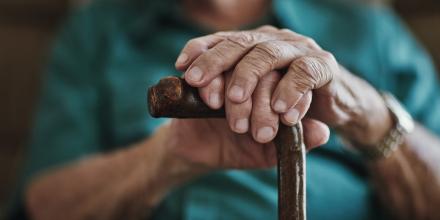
{"points": [[259, 97]]}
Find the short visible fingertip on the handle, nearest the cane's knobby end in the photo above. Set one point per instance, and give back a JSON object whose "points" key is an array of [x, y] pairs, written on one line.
{"points": [[213, 93]]}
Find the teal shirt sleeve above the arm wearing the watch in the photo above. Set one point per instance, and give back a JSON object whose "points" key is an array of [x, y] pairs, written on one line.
{"points": [[412, 75]]}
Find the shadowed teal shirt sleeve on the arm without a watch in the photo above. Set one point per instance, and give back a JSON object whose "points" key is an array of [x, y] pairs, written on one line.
{"points": [[66, 125]]}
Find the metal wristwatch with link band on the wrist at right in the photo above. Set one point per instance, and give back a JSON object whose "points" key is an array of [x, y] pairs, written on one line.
{"points": [[403, 124]]}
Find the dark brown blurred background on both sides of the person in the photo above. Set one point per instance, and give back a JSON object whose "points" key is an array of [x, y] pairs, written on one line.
{"points": [[27, 28]]}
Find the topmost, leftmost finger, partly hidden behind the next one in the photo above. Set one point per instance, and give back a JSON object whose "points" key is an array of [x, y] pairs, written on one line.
{"points": [[194, 48]]}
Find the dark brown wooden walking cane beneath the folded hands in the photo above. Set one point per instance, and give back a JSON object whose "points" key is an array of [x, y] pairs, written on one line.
{"points": [[172, 97]]}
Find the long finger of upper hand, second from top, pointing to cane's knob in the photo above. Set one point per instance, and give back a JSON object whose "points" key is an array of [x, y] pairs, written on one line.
{"points": [[222, 57]]}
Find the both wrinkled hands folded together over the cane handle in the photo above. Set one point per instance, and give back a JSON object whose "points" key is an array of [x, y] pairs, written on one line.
{"points": [[264, 77]]}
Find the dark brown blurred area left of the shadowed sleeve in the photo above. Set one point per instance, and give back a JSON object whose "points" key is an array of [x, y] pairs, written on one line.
{"points": [[26, 30]]}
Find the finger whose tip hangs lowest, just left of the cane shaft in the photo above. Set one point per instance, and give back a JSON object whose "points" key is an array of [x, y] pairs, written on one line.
{"points": [[264, 121]]}
